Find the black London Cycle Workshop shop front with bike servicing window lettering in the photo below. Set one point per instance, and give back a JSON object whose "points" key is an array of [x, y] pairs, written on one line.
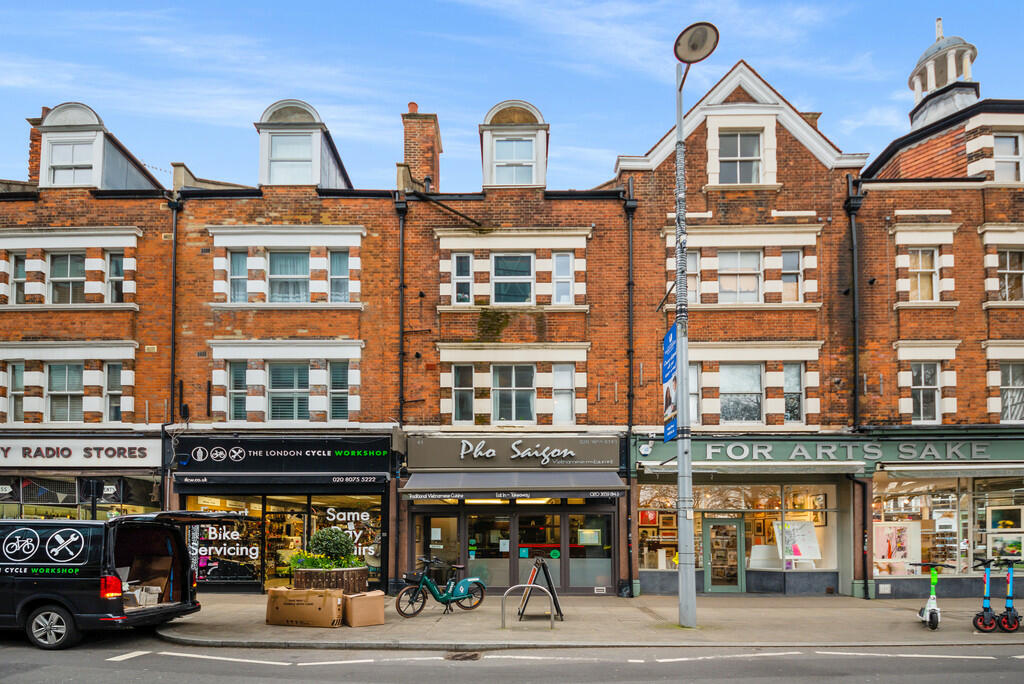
{"points": [[290, 488]]}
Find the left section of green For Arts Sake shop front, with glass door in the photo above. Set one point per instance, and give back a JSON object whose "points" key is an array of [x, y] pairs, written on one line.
{"points": [[771, 517]]}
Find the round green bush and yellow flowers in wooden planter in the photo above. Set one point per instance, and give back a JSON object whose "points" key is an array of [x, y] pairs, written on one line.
{"points": [[330, 564]]}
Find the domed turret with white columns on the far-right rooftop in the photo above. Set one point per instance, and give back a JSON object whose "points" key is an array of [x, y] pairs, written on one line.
{"points": [[937, 91]]}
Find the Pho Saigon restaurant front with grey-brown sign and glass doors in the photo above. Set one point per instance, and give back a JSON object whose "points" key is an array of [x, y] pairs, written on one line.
{"points": [[497, 503]]}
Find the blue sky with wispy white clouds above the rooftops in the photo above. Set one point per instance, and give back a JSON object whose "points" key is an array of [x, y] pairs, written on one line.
{"points": [[186, 83]]}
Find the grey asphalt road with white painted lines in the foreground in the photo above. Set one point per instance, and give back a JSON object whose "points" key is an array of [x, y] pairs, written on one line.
{"points": [[141, 658]]}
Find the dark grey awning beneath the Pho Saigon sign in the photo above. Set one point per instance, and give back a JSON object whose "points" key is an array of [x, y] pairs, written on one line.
{"points": [[515, 485]]}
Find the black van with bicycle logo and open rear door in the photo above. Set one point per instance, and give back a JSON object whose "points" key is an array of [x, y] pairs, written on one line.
{"points": [[62, 578]]}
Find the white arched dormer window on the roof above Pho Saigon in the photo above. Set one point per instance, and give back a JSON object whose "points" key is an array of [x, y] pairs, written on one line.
{"points": [[515, 145]]}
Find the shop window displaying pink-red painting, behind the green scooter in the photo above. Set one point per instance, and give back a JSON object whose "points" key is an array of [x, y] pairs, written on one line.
{"points": [[917, 522]]}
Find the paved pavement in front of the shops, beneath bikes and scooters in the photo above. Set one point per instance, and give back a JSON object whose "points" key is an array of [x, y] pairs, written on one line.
{"points": [[238, 621]]}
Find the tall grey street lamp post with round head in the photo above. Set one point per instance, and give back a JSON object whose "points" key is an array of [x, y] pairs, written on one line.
{"points": [[694, 45]]}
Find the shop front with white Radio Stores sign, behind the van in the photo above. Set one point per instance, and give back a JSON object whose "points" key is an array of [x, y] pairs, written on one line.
{"points": [[79, 478]]}
